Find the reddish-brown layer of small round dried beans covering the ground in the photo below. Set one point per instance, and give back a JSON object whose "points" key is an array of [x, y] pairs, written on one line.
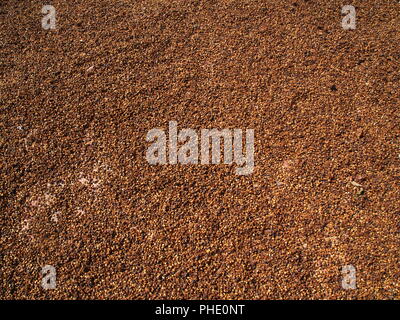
{"points": [[76, 191]]}
